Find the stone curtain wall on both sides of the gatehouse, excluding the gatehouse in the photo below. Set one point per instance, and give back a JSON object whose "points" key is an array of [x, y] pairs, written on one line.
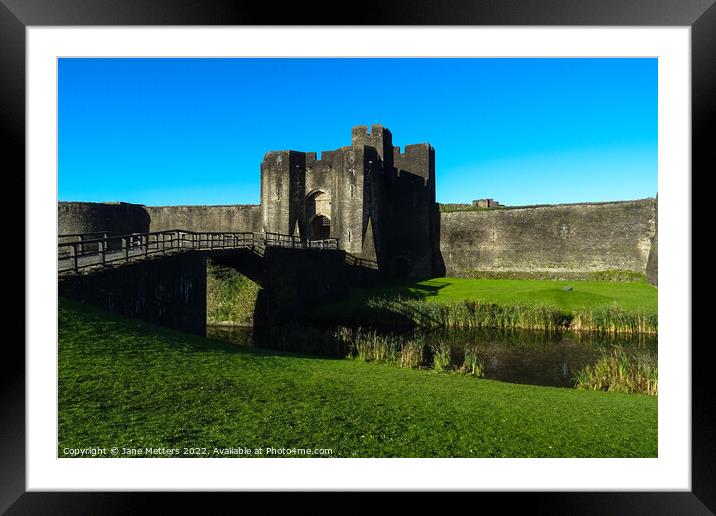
{"points": [[574, 238]]}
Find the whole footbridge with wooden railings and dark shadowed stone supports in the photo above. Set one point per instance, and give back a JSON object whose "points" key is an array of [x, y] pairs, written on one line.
{"points": [[116, 272]]}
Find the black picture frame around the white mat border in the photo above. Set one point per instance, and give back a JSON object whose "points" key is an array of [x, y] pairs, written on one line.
{"points": [[700, 15]]}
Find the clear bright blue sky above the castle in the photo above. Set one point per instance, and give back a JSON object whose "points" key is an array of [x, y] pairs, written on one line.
{"points": [[194, 131]]}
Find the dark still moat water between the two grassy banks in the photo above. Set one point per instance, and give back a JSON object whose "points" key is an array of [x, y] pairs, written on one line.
{"points": [[528, 357]]}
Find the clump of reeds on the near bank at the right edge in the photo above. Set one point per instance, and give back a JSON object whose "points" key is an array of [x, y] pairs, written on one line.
{"points": [[620, 371]]}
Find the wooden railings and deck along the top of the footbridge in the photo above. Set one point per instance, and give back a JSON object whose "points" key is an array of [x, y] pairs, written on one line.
{"points": [[99, 249]]}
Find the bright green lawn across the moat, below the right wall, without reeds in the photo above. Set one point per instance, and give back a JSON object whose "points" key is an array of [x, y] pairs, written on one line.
{"points": [[584, 294]]}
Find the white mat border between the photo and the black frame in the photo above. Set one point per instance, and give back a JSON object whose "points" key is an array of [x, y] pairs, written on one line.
{"points": [[671, 471]]}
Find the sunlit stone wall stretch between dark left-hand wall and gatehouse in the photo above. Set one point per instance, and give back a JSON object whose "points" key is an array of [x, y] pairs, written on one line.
{"points": [[235, 217]]}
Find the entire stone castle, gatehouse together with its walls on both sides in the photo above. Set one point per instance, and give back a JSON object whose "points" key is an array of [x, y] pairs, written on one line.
{"points": [[380, 204]]}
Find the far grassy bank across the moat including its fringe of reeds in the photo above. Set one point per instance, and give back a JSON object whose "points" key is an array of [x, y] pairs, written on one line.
{"points": [[602, 306]]}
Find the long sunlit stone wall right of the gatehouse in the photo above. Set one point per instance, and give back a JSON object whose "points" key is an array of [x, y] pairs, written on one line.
{"points": [[557, 238]]}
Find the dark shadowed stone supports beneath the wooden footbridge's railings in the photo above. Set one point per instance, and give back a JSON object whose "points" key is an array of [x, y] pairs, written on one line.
{"points": [[170, 290]]}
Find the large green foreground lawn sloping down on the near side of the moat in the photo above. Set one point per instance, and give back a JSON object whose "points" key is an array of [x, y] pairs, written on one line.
{"points": [[125, 383]]}
